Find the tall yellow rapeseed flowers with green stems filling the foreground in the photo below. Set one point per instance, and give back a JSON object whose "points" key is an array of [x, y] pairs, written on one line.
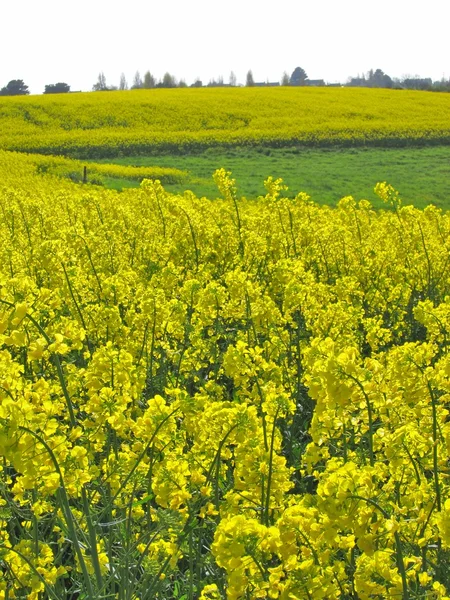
{"points": [[221, 399]]}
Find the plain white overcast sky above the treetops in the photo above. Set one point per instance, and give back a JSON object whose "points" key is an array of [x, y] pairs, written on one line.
{"points": [[48, 41]]}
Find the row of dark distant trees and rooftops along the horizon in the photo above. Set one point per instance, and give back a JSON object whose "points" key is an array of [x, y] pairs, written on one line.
{"points": [[372, 79]]}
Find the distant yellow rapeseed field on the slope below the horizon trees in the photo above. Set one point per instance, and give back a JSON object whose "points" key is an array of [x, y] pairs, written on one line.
{"points": [[137, 122]]}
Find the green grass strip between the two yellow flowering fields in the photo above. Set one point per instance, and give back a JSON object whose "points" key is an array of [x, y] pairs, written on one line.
{"points": [[420, 174]]}
